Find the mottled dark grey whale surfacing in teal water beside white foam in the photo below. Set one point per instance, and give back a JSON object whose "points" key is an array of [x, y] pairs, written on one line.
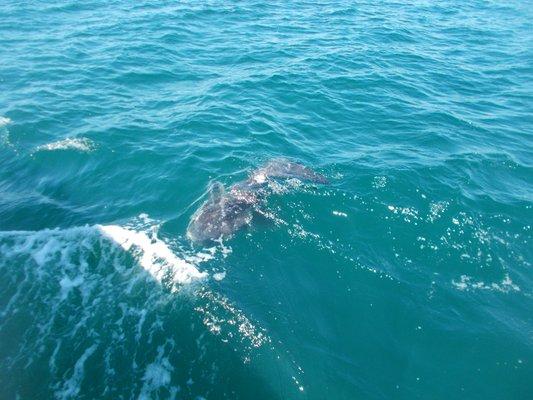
{"points": [[228, 210]]}
